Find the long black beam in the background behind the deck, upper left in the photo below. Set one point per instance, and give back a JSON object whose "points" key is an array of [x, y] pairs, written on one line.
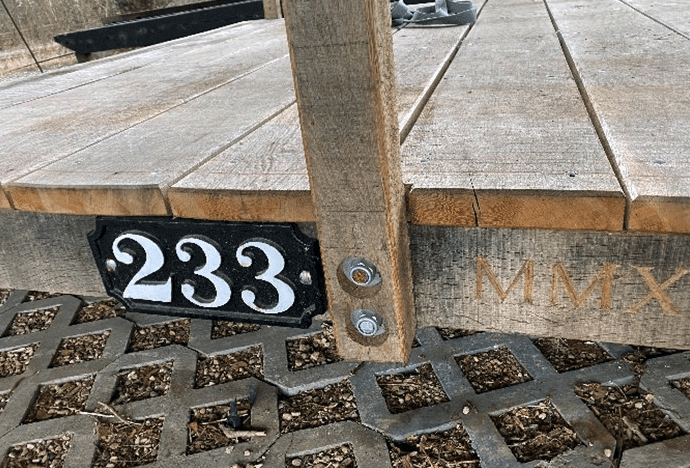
{"points": [[156, 29]]}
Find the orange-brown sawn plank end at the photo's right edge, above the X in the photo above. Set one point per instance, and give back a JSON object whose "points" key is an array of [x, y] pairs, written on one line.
{"points": [[652, 214]]}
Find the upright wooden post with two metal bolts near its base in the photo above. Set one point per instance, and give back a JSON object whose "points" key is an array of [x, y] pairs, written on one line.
{"points": [[342, 63]]}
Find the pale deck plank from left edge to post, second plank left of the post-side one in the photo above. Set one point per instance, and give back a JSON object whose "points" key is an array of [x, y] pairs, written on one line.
{"points": [[55, 126]]}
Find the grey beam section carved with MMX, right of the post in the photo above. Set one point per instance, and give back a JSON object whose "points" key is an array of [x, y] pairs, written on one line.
{"points": [[623, 288]]}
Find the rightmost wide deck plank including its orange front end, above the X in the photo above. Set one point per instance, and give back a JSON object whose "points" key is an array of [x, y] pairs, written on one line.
{"points": [[635, 73]]}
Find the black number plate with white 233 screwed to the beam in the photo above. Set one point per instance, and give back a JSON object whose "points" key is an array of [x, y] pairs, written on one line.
{"points": [[260, 273]]}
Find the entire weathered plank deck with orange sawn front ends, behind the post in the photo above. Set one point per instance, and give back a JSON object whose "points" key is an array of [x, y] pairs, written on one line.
{"points": [[556, 115]]}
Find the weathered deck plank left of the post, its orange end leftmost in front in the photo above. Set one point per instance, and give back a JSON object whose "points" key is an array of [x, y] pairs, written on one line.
{"points": [[154, 154]]}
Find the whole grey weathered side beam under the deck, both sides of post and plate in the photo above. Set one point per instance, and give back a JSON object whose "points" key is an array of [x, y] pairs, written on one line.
{"points": [[629, 288]]}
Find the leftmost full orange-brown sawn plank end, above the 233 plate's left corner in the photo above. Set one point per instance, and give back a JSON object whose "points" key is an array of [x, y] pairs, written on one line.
{"points": [[103, 201]]}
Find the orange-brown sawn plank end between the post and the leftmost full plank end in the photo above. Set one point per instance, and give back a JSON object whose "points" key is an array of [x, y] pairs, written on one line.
{"points": [[260, 206]]}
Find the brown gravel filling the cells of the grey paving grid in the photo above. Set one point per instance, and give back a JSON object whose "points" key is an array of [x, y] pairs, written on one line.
{"points": [[535, 432]]}
